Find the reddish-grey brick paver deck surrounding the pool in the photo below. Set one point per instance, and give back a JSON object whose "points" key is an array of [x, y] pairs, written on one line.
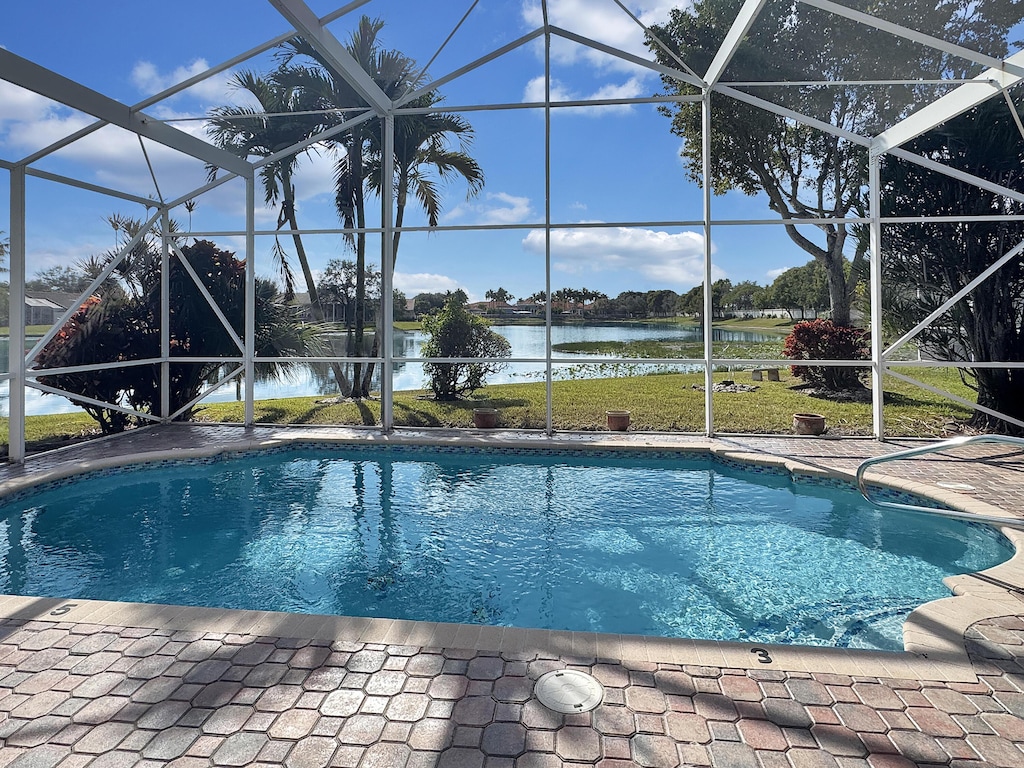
{"points": [[87, 684]]}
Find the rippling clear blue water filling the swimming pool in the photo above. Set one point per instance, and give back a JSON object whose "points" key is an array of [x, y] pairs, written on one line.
{"points": [[636, 544]]}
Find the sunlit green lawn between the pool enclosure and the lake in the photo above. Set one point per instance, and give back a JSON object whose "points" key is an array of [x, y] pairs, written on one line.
{"points": [[658, 403]]}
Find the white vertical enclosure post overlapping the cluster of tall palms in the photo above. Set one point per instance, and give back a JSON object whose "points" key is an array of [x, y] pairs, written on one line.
{"points": [[387, 331]]}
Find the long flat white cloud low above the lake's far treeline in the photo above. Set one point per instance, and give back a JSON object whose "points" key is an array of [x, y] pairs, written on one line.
{"points": [[672, 261]]}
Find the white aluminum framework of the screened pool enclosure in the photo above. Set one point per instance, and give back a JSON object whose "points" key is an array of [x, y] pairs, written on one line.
{"points": [[995, 82]]}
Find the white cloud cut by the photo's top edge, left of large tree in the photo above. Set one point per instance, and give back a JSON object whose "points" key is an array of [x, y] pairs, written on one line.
{"points": [[606, 23]]}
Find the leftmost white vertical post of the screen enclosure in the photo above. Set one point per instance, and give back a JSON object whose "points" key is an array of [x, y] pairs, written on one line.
{"points": [[16, 421]]}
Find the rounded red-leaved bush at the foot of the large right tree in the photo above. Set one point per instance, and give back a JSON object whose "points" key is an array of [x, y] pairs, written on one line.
{"points": [[823, 339]]}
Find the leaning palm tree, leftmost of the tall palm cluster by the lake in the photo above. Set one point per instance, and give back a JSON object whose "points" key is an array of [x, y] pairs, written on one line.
{"points": [[250, 133]]}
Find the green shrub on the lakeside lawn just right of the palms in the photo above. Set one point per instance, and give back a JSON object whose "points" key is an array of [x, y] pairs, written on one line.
{"points": [[456, 333]]}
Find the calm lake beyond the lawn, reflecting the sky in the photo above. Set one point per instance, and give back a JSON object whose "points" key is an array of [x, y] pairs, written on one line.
{"points": [[527, 342]]}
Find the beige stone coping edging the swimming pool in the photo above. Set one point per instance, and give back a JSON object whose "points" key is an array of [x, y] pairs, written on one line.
{"points": [[934, 633]]}
